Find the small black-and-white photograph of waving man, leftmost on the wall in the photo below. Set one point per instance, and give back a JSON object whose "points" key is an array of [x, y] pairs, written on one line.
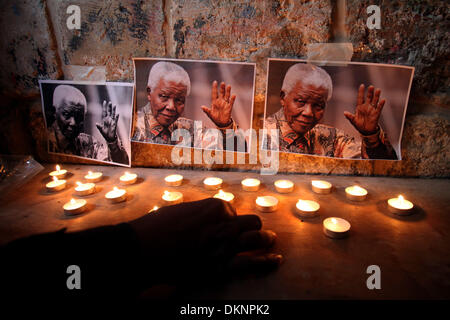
{"points": [[66, 119]]}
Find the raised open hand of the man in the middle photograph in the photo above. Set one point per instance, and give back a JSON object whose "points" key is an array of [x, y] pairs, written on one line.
{"points": [[221, 105]]}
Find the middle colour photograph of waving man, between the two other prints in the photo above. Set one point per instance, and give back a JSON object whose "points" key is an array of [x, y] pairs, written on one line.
{"points": [[212, 102]]}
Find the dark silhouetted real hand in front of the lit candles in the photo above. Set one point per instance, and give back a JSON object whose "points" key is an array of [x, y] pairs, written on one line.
{"points": [[202, 238]]}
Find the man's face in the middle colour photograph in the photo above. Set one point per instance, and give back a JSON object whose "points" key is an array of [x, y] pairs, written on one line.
{"points": [[167, 101]]}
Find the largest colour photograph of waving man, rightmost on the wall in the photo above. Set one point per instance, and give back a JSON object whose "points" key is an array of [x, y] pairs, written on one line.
{"points": [[346, 110]]}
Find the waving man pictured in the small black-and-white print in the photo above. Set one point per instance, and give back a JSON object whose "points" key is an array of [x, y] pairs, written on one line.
{"points": [[66, 134]]}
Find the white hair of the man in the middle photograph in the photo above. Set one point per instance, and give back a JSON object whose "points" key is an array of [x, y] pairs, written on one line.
{"points": [[168, 71]]}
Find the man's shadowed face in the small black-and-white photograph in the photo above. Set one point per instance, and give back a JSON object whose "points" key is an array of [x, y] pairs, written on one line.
{"points": [[70, 118]]}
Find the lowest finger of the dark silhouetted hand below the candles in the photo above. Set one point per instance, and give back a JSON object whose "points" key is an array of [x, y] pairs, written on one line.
{"points": [[246, 263]]}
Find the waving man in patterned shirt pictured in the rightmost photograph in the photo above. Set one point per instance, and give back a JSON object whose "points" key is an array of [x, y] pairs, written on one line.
{"points": [[304, 96]]}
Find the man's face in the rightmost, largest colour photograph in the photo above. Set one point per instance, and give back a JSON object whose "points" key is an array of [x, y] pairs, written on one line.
{"points": [[304, 106]]}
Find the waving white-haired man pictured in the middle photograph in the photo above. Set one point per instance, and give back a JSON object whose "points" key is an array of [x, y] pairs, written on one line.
{"points": [[167, 88]]}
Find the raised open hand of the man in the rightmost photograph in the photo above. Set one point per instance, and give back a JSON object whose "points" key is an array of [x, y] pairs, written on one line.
{"points": [[367, 112]]}
